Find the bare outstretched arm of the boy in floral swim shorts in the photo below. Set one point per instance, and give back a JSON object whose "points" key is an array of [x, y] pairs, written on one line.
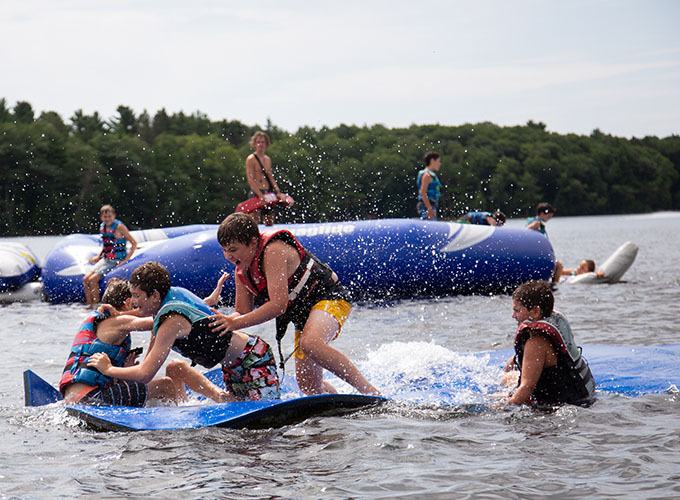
{"points": [[158, 352]]}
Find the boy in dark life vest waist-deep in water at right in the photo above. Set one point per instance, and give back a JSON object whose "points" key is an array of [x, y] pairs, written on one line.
{"points": [[551, 367]]}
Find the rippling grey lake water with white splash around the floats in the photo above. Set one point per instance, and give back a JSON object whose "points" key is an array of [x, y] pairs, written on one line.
{"points": [[621, 447]]}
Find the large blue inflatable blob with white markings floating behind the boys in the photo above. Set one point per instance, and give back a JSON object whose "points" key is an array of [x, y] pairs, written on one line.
{"points": [[378, 258]]}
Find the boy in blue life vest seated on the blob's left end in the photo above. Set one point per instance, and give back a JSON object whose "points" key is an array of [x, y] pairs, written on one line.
{"points": [[113, 253]]}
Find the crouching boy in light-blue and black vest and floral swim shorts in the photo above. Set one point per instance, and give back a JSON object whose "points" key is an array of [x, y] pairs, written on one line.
{"points": [[181, 323]]}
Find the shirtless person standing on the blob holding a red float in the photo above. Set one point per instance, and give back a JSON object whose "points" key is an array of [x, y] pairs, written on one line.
{"points": [[260, 177]]}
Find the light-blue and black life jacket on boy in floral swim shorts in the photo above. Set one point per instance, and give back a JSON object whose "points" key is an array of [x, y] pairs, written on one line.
{"points": [[202, 346]]}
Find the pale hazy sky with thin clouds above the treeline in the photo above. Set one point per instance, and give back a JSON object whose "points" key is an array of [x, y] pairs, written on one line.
{"points": [[574, 65]]}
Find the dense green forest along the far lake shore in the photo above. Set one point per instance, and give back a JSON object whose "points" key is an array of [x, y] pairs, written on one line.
{"points": [[175, 169]]}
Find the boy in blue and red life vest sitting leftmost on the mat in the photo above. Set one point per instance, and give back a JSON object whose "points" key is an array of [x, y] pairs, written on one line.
{"points": [[101, 333]]}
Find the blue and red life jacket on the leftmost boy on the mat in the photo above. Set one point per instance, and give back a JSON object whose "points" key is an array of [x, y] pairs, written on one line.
{"points": [[85, 345]]}
